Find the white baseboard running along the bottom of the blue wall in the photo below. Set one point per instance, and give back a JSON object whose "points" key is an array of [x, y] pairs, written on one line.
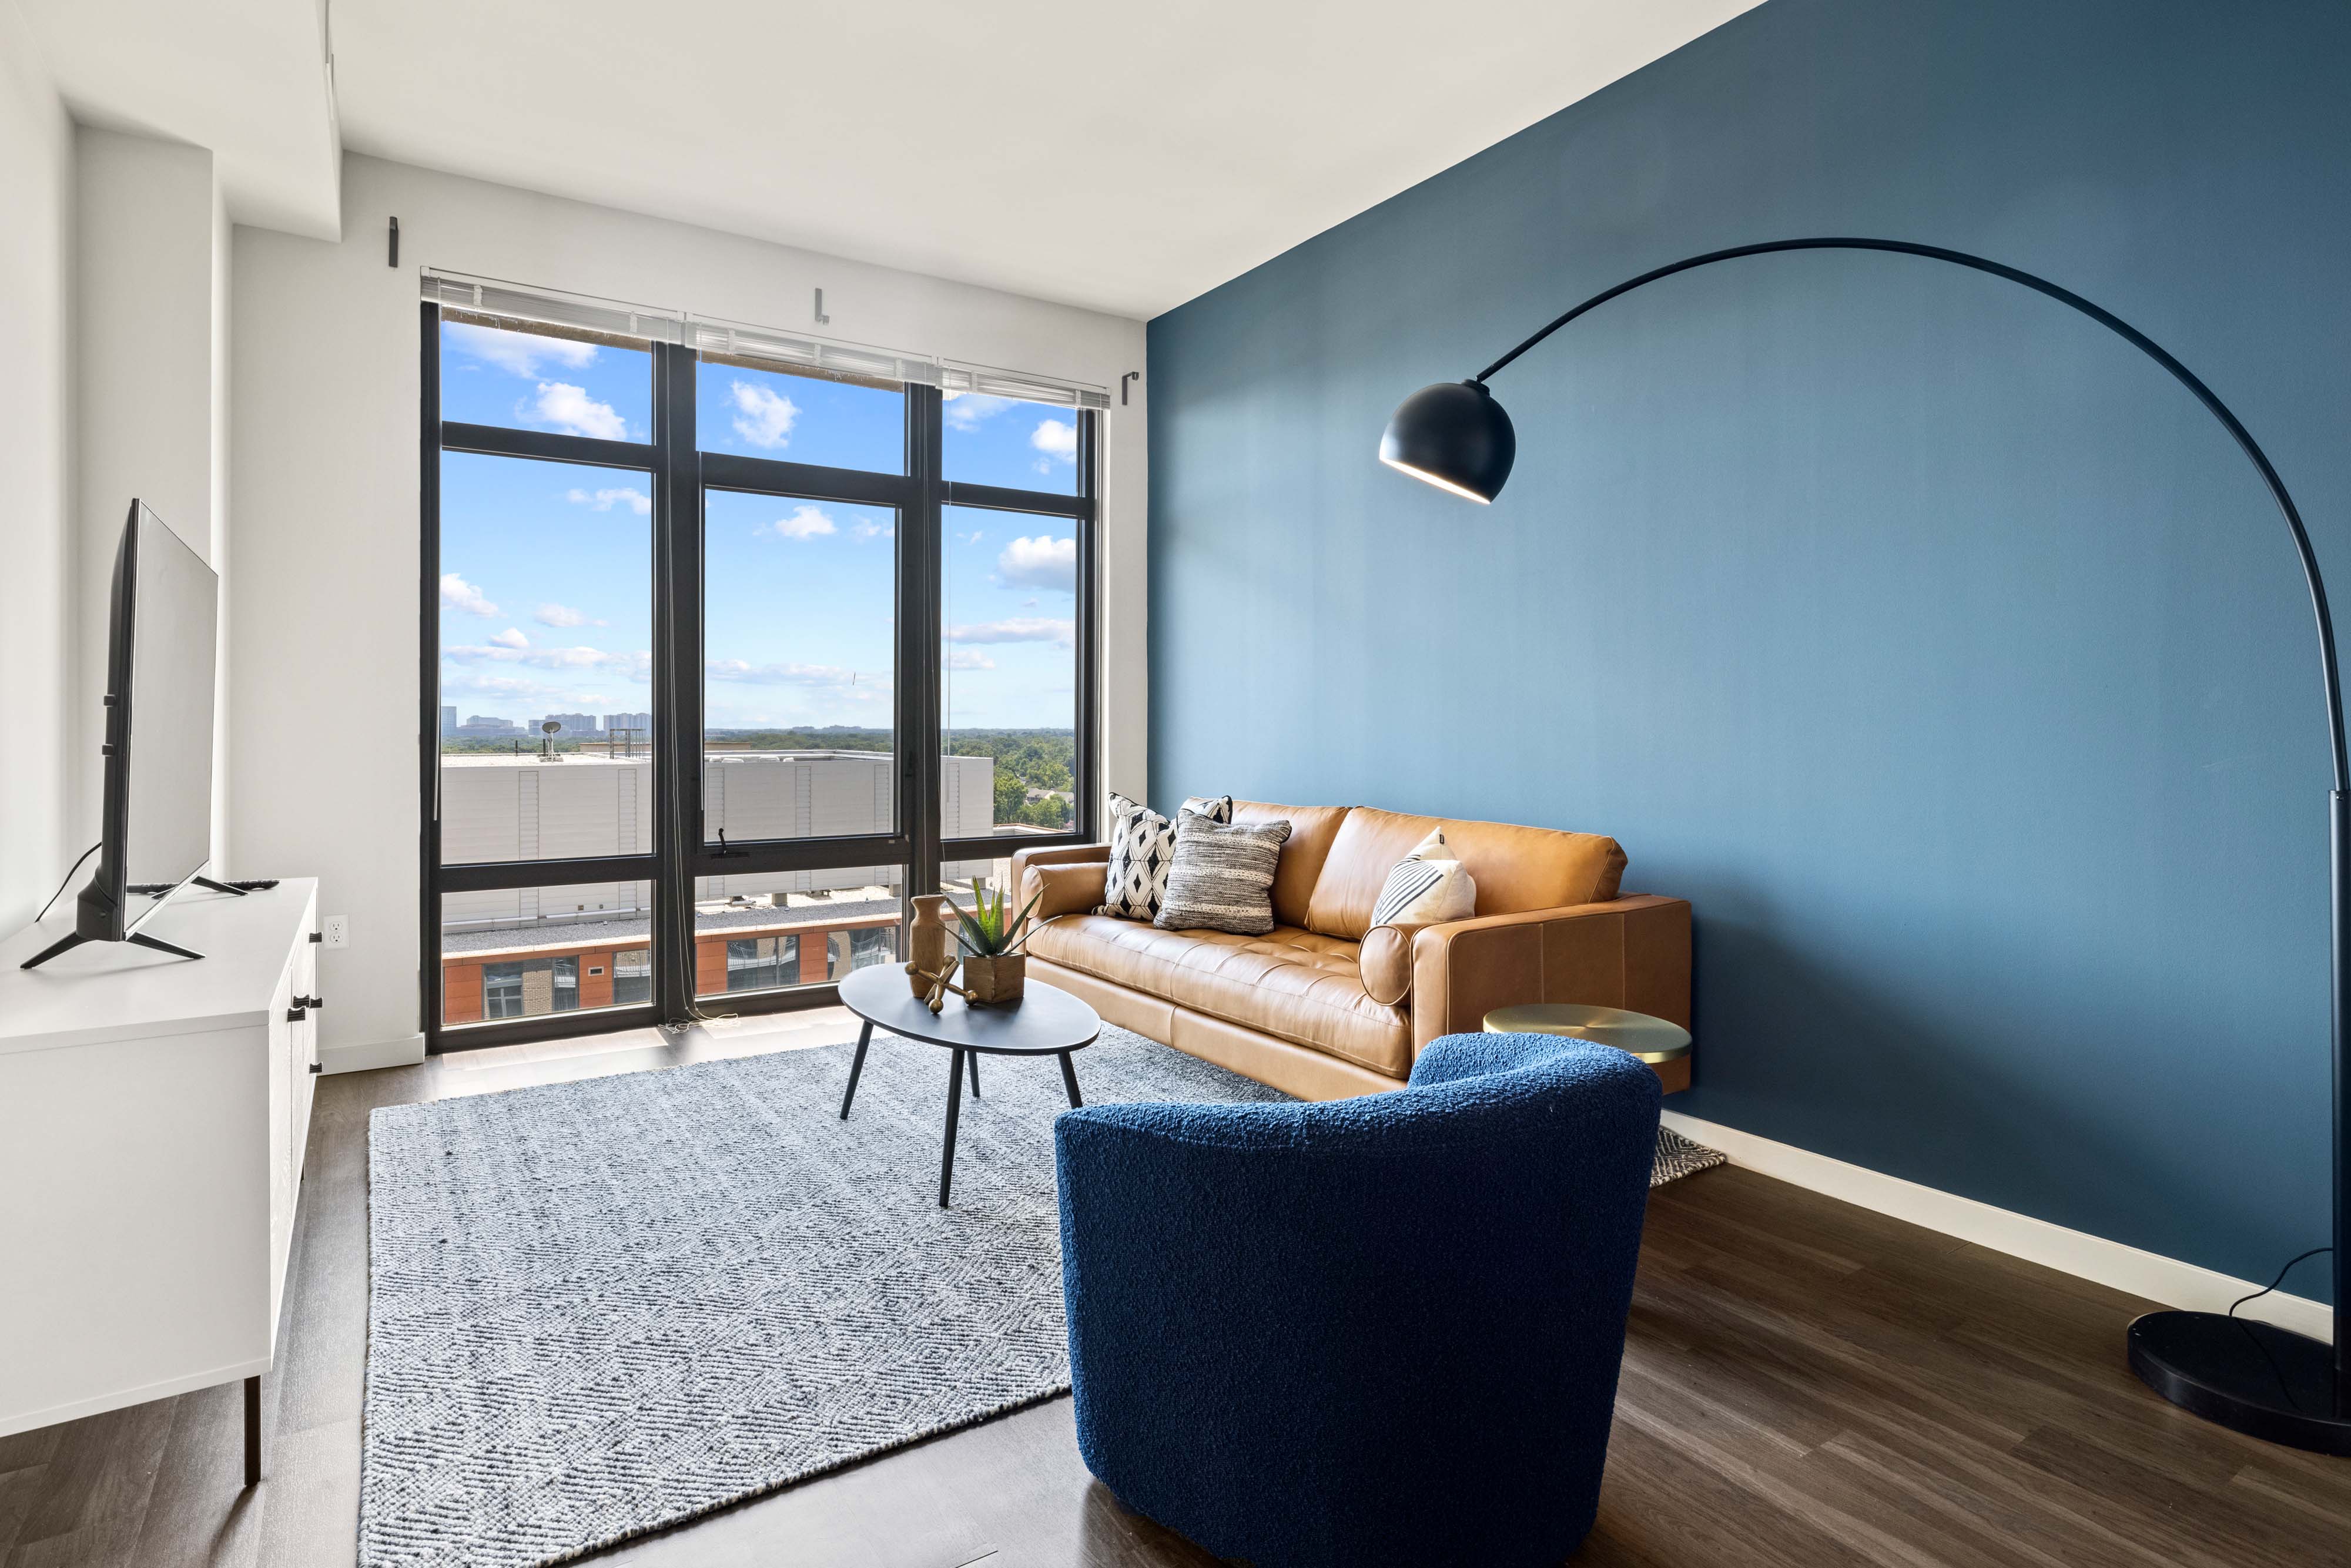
{"points": [[2070, 1252]]}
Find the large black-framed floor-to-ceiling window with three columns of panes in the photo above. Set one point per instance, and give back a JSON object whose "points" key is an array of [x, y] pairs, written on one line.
{"points": [[732, 643]]}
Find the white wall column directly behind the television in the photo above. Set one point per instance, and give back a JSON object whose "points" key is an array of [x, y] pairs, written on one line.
{"points": [[152, 420]]}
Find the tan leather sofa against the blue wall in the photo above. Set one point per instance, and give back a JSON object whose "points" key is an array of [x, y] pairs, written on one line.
{"points": [[1329, 1007]]}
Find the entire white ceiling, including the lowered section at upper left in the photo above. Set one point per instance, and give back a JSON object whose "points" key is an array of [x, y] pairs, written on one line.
{"points": [[1104, 154]]}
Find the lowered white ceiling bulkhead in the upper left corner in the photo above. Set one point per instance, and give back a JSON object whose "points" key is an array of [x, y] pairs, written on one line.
{"points": [[246, 79]]}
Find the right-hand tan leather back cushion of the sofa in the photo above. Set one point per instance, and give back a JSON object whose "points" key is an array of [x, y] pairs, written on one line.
{"points": [[1515, 869]]}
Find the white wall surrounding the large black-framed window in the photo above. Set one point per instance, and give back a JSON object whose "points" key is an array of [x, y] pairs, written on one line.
{"points": [[326, 450]]}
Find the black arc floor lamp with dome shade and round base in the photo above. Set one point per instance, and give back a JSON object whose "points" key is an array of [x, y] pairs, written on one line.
{"points": [[2237, 1372]]}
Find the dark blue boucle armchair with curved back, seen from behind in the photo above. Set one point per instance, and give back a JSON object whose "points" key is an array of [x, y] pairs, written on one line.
{"points": [[1362, 1332]]}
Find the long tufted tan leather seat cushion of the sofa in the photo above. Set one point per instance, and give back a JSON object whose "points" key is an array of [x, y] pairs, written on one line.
{"points": [[1290, 984]]}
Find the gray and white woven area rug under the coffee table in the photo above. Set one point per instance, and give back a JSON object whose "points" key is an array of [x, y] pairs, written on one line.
{"points": [[612, 1306]]}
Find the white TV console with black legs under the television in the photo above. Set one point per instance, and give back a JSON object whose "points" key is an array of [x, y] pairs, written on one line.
{"points": [[154, 1118]]}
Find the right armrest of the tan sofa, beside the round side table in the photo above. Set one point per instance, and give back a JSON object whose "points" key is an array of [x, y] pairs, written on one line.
{"points": [[1630, 953]]}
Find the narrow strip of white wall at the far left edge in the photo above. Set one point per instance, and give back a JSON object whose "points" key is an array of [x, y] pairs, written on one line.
{"points": [[36, 462]]}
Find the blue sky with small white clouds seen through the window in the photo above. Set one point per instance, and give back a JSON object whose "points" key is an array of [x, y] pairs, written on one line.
{"points": [[547, 568]]}
